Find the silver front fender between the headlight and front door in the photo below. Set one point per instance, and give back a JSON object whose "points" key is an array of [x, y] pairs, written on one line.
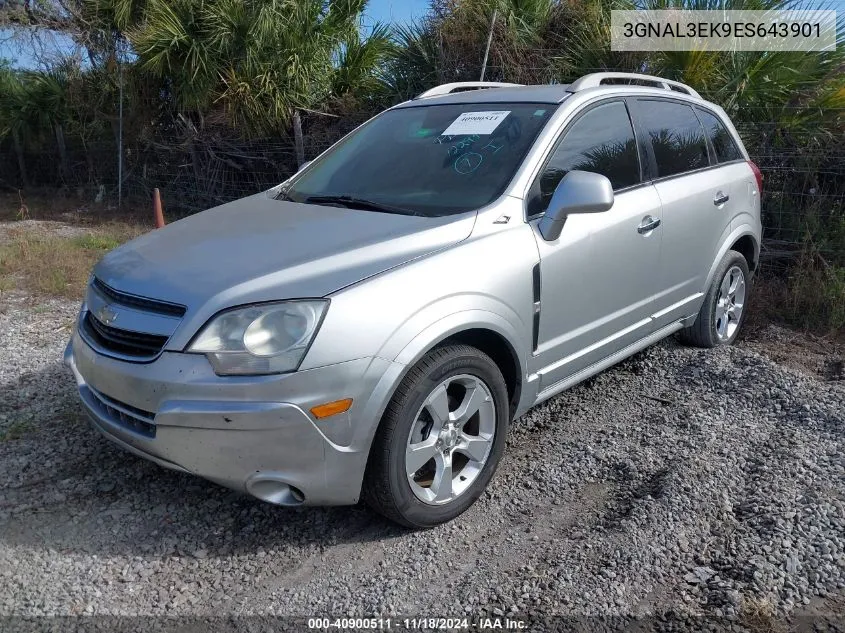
{"points": [[488, 279]]}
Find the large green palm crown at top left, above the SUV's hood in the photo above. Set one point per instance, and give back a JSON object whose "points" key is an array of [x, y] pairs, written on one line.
{"points": [[257, 61]]}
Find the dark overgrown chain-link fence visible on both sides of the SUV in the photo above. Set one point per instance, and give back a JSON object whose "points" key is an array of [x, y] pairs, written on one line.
{"points": [[804, 177]]}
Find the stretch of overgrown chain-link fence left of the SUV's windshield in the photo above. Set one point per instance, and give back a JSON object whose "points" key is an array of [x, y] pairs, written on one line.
{"points": [[193, 170]]}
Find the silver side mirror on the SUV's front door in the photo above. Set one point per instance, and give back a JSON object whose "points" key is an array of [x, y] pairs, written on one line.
{"points": [[577, 192]]}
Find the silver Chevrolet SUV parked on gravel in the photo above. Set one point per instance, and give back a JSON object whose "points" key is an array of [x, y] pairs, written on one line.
{"points": [[370, 327]]}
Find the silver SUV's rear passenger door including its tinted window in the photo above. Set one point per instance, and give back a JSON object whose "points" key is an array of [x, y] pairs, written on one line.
{"points": [[696, 201]]}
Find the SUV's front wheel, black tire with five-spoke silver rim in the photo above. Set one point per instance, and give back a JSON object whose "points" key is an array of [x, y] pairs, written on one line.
{"points": [[460, 378]]}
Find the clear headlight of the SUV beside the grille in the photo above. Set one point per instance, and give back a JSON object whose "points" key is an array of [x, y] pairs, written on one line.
{"points": [[271, 338]]}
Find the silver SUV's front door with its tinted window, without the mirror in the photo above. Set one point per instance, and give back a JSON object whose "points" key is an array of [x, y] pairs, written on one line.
{"points": [[600, 279]]}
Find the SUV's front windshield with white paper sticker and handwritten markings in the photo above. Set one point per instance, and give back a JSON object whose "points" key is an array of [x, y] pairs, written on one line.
{"points": [[426, 160]]}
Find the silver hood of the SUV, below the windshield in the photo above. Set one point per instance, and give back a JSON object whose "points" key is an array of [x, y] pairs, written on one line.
{"points": [[260, 249]]}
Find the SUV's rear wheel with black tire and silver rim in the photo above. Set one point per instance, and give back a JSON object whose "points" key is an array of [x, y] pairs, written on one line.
{"points": [[713, 326]]}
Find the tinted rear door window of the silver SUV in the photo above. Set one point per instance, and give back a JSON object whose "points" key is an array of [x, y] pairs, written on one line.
{"points": [[676, 136]]}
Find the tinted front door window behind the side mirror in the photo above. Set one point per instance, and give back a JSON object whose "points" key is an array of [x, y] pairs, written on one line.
{"points": [[602, 141]]}
